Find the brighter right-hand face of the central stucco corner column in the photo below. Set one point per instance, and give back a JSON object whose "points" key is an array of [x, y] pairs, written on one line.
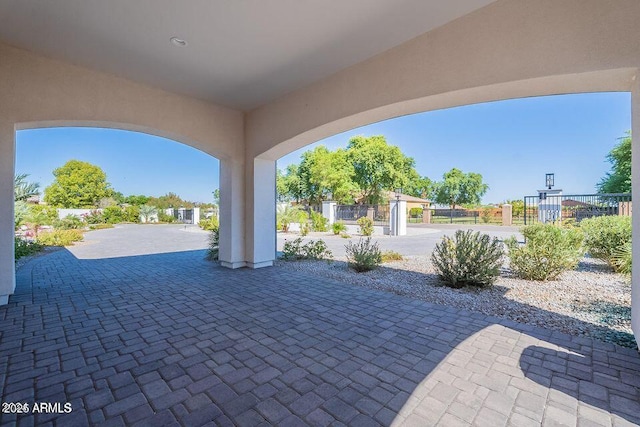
{"points": [[260, 213]]}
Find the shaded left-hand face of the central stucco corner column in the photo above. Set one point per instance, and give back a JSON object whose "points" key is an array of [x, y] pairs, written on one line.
{"points": [[232, 213]]}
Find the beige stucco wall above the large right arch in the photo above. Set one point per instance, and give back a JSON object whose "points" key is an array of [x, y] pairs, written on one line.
{"points": [[509, 49]]}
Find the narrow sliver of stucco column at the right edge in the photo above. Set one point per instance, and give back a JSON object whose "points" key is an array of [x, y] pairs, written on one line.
{"points": [[635, 189]]}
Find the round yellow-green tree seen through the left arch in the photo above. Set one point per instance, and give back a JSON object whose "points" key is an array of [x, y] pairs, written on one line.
{"points": [[77, 184]]}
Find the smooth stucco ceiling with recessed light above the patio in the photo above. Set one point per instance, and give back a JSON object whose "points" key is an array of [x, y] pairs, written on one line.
{"points": [[240, 53]]}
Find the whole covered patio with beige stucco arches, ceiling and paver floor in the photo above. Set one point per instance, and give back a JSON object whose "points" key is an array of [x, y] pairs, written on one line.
{"points": [[165, 338]]}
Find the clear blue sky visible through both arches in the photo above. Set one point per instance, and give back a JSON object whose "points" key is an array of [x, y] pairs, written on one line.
{"points": [[511, 143]]}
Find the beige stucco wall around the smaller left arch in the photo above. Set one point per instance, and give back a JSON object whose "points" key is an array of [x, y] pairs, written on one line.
{"points": [[39, 92]]}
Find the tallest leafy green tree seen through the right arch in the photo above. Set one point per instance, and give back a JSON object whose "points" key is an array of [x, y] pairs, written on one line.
{"points": [[378, 166]]}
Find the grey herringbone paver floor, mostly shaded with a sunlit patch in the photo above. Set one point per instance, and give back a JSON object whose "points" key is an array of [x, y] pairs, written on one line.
{"points": [[171, 339]]}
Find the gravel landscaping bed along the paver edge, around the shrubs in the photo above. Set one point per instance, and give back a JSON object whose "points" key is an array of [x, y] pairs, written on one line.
{"points": [[591, 301]]}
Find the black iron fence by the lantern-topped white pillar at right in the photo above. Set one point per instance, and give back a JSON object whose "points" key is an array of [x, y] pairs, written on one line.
{"points": [[574, 206]]}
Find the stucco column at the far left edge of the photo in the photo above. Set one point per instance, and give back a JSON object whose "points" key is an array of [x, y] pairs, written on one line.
{"points": [[7, 172]]}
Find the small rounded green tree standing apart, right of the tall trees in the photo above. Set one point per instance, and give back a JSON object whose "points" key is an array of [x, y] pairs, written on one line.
{"points": [[459, 188]]}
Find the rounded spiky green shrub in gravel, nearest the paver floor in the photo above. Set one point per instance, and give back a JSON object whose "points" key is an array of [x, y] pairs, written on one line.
{"points": [[468, 259]]}
